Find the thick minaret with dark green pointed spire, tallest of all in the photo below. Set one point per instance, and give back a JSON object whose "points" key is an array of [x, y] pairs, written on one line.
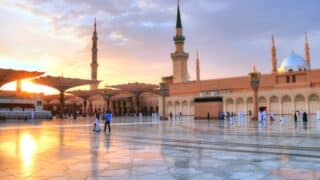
{"points": [[179, 57]]}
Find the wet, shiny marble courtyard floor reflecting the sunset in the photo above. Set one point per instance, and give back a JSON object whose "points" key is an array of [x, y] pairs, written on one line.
{"points": [[148, 149]]}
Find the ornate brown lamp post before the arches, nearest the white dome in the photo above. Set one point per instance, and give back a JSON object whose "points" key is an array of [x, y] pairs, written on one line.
{"points": [[254, 78]]}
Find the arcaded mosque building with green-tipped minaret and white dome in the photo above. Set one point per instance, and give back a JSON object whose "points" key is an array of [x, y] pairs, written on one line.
{"points": [[291, 86]]}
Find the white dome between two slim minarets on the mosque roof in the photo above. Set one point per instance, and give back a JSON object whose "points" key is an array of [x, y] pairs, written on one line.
{"points": [[293, 62]]}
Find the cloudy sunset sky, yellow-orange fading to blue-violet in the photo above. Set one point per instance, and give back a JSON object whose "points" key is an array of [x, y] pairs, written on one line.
{"points": [[136, 36]]}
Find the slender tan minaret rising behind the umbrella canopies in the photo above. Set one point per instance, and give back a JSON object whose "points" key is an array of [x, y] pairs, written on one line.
{"points": [[94, 62]]}
